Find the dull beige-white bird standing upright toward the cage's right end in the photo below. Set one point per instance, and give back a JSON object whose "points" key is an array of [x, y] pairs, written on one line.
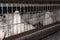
{"points": [[47, 18]]}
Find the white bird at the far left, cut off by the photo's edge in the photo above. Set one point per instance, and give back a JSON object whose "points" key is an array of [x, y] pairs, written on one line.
{"points": [[2, 27]]}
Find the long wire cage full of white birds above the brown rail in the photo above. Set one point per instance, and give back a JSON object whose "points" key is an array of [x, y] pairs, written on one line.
{"points": [[18, 18]]}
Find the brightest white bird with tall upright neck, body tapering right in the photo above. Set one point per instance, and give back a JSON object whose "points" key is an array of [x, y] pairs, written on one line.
{"points": [[20, 24]]}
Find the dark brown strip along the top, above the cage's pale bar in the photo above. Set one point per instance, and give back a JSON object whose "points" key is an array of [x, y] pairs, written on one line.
{"points": [[31, 1]]}
